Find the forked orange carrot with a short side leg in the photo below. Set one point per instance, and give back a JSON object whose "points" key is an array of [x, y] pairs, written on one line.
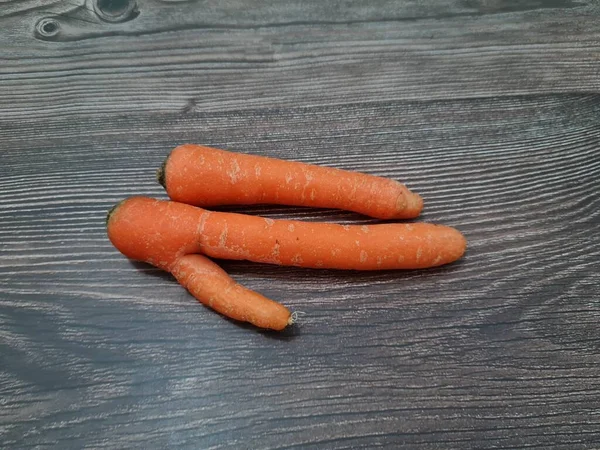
{"points": [[170, 235]]}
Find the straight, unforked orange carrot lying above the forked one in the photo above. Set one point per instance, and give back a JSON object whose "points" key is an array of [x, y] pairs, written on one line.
{"points": [[204, 176]]}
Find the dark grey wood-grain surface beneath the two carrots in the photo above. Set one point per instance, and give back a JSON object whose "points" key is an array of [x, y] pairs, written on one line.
{"points": [[488, 108]]}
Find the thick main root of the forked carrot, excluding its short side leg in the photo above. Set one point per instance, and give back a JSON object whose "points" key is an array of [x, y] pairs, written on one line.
{"points": [[160, 232]]}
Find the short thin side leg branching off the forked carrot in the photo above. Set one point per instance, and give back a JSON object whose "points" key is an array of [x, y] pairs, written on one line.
{"points": [[211, 285]]}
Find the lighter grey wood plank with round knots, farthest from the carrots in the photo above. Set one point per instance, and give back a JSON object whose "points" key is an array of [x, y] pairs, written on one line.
{"points": [[180, 57]]}
